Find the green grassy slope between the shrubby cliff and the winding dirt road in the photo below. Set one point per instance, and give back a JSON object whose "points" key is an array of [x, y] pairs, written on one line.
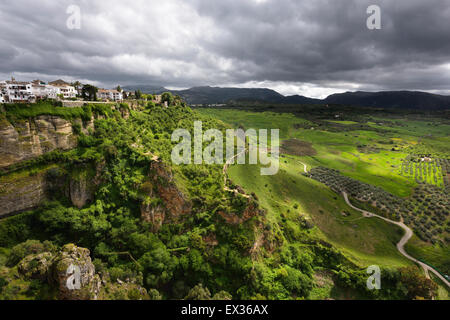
{"points": [[289, 193]]}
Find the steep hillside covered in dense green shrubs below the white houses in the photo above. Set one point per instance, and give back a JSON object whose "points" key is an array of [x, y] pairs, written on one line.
{"points": [[143, 228]]}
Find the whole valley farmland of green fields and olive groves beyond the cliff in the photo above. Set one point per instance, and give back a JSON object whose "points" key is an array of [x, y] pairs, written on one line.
{"points": [[394, 165]]}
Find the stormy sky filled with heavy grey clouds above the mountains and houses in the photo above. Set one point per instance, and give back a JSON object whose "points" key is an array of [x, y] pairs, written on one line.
{"points": [[313, 47]]}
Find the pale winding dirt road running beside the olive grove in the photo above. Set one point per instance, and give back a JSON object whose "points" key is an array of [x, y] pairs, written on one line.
{"points": [[403, 241]]}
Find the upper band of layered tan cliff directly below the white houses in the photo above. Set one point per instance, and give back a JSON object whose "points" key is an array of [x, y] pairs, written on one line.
{"points": [[27, 139]]}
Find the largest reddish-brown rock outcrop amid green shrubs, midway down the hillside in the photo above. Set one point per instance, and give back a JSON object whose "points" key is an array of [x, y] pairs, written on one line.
{"points": [[173, 204]]}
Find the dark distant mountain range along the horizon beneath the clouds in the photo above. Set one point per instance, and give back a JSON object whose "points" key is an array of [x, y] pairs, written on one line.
{"points": [[383, 99]]}
